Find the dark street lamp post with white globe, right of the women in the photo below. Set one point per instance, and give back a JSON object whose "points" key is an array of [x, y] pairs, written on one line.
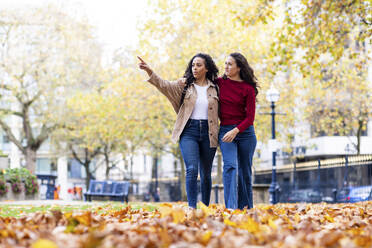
{"points": [[272, 95]]}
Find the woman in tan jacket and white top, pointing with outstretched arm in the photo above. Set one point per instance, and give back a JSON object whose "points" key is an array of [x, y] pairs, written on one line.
{"points": [[195, 100]]}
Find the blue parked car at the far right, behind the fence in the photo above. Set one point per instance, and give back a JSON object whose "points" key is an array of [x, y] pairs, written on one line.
{"points": [[355, 194]]}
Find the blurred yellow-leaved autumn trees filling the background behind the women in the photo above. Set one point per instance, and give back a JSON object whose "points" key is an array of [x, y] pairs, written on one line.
{"points": [[57, 89]]}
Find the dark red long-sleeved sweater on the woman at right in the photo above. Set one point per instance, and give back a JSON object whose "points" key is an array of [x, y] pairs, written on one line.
{"points": [[237, 103]]}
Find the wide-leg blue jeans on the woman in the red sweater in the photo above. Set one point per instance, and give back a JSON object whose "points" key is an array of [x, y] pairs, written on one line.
{"points": [[238, 155]]}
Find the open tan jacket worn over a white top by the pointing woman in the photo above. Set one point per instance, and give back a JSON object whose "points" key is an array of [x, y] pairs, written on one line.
{"points": [[173, 91]]}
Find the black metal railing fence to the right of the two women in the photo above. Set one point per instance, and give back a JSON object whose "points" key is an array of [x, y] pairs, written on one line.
{"points": [[319, 181]]}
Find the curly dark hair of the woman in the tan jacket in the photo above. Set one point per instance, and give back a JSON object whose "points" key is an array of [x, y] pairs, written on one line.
{"points": [[211, 73]]}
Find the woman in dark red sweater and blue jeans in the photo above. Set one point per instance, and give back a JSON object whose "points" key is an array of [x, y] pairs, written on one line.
{"points": [[238, 90]]}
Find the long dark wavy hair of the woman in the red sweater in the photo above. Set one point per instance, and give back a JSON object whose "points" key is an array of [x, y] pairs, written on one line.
{"points": [[246, 72]]}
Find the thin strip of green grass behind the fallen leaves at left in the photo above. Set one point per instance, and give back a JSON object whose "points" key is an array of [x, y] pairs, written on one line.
{"points": [[14, 210]]}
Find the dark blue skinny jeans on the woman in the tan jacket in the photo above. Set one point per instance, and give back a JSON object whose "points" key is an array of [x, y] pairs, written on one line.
{"points": [[197, 153]]}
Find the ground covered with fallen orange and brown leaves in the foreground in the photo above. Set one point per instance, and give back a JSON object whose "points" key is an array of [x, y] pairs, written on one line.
{"points": [[175, 225]]}
